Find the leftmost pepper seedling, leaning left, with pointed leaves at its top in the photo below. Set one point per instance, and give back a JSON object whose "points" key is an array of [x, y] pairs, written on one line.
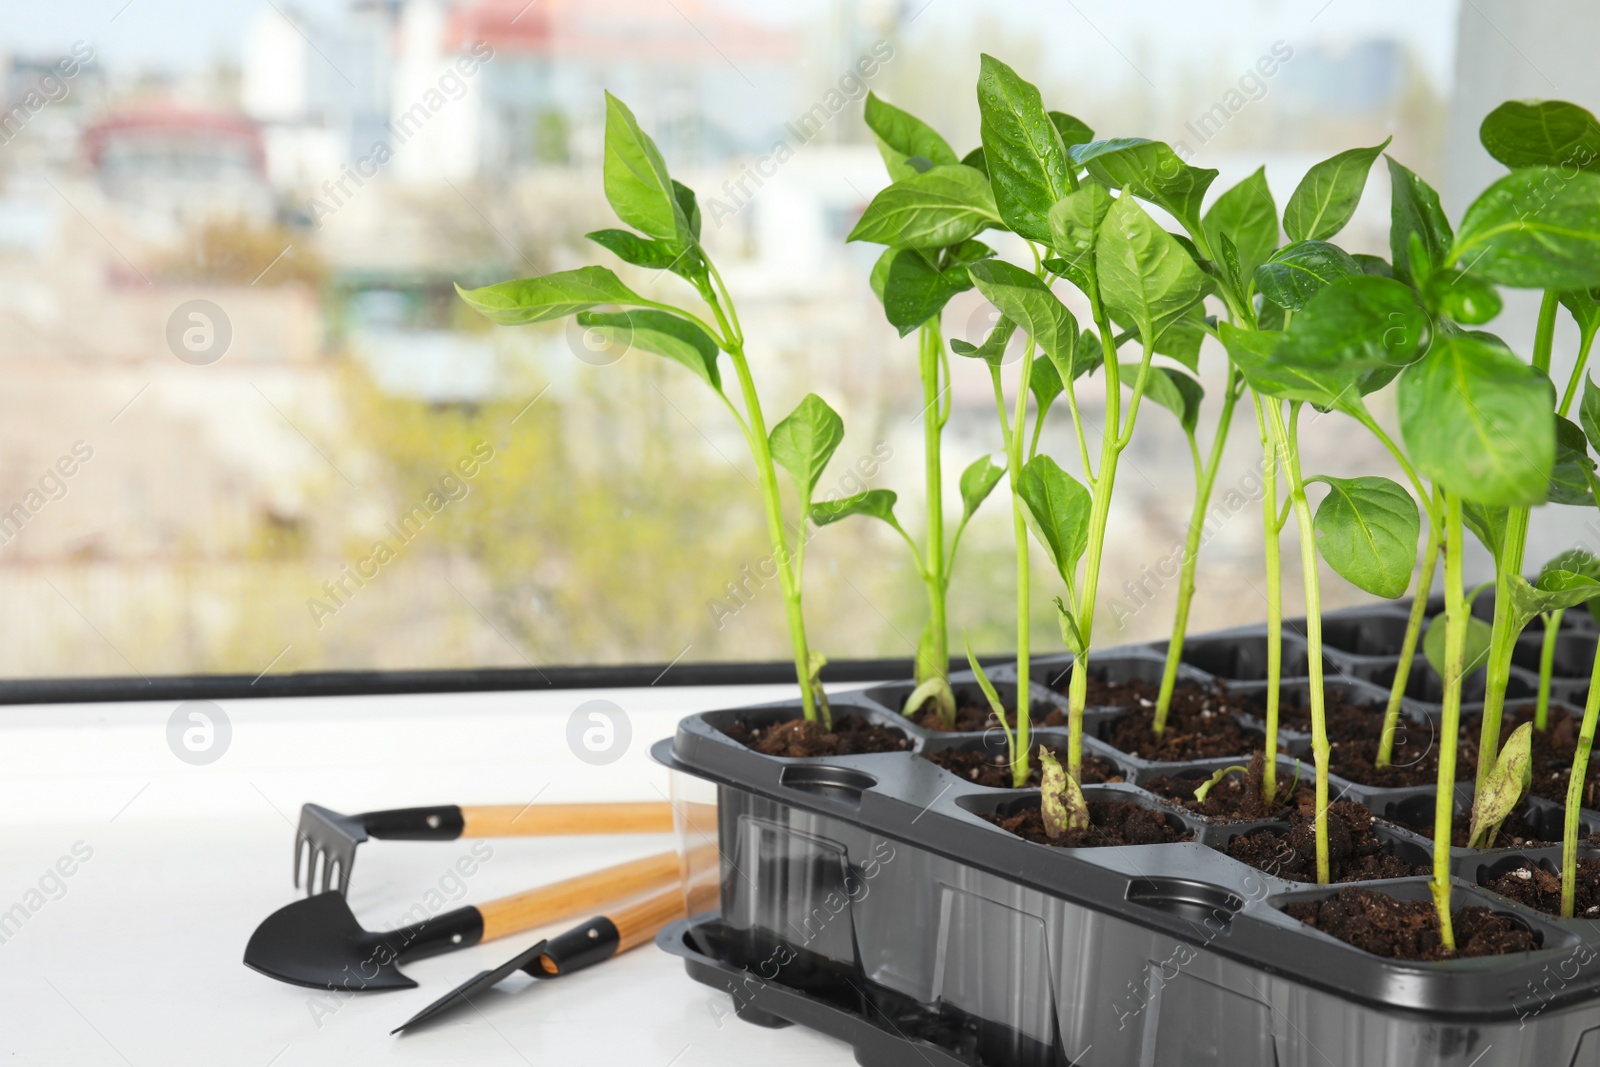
{"points": [[666, 236]]}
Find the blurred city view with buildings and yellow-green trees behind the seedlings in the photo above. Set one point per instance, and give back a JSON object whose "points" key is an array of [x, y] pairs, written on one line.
{"points": [[234, 362]]}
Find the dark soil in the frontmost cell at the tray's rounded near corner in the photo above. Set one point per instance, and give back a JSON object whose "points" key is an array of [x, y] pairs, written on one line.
{"points": [[1409, 930]]}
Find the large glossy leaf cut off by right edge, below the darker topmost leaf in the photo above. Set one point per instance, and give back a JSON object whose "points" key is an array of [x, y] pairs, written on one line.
{"points": [[1535, 230]]}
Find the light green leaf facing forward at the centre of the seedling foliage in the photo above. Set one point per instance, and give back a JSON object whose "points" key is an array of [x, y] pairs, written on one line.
{"points": [[1145, 274]]}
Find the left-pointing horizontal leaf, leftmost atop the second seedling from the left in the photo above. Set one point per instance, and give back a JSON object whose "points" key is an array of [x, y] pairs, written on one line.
{"points": [[942, 207]]}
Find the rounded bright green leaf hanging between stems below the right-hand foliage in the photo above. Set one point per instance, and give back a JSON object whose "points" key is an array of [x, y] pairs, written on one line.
{"points": [[1367, 530]]}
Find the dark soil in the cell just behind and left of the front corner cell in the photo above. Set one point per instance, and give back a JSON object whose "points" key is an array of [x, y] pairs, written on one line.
{"points": [[1354, 850]]}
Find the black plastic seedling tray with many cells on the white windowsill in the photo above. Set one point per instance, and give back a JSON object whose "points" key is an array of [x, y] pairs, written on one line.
{"points": [[866, 898]]}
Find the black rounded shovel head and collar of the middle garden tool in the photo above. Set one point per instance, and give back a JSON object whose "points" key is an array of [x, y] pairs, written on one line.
{"points": [[318, 943]]}
